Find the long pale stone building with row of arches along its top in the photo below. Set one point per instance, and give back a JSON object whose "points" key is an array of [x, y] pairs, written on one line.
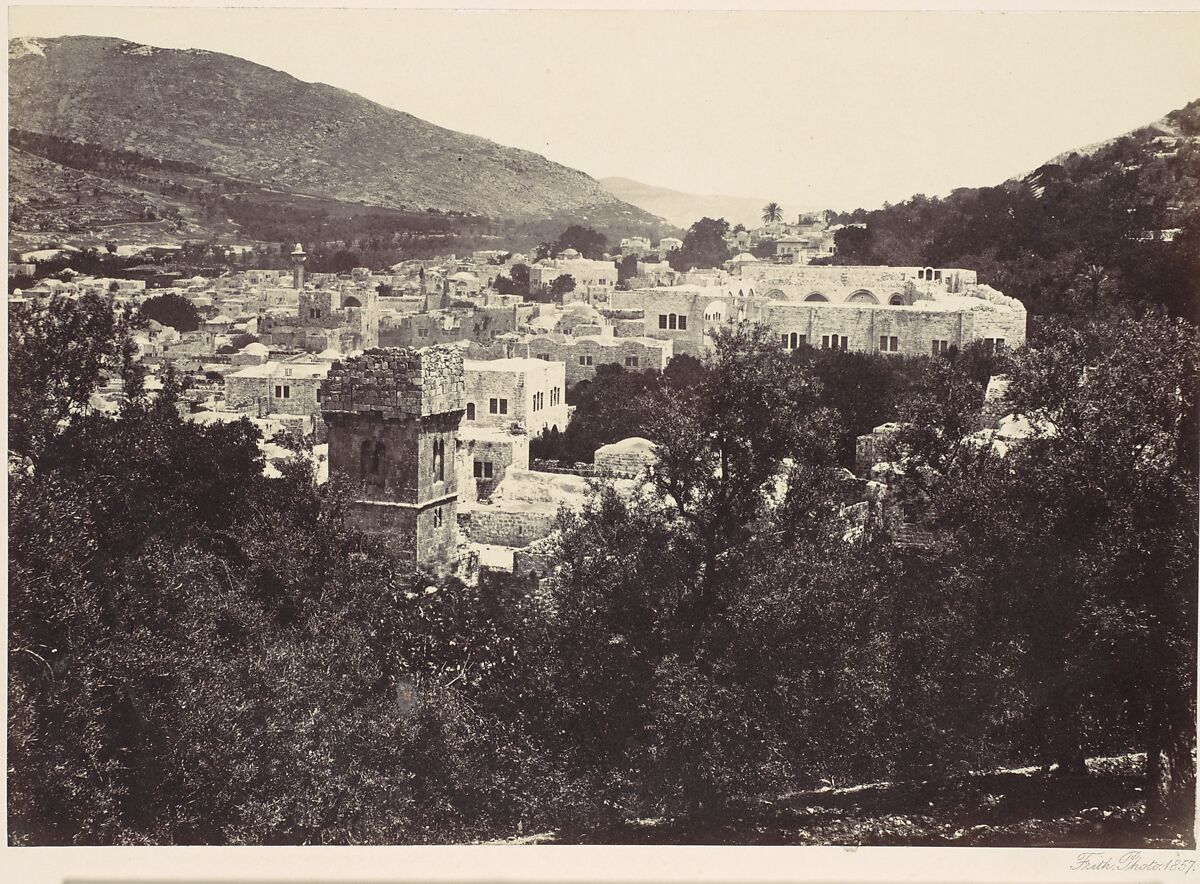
{"points": [[910, 311]]}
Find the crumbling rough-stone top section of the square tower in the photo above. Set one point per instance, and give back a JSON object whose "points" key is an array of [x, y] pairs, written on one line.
{"points": [[397, 383]]}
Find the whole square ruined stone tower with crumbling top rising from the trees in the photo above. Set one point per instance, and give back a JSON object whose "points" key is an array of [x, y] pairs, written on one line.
{"points": [[393, 418]]}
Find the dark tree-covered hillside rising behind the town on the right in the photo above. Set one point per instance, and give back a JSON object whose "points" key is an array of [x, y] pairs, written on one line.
{"points": [[1109, 227]]}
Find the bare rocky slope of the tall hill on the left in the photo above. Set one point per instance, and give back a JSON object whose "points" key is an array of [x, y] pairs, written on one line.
{"points": [[248, 122]]}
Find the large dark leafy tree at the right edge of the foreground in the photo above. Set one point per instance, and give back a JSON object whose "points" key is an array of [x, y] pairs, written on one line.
{"points": [[1083, 540]]}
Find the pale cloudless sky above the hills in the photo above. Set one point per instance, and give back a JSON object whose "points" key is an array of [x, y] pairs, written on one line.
{"points": [[813, 110]]}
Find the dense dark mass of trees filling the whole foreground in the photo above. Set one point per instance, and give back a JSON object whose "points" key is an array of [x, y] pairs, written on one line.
{"points": [[200, 654]]}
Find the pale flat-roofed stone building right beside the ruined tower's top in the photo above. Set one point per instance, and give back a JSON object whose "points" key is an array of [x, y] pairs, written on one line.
{"points": [[506, 392]]}
